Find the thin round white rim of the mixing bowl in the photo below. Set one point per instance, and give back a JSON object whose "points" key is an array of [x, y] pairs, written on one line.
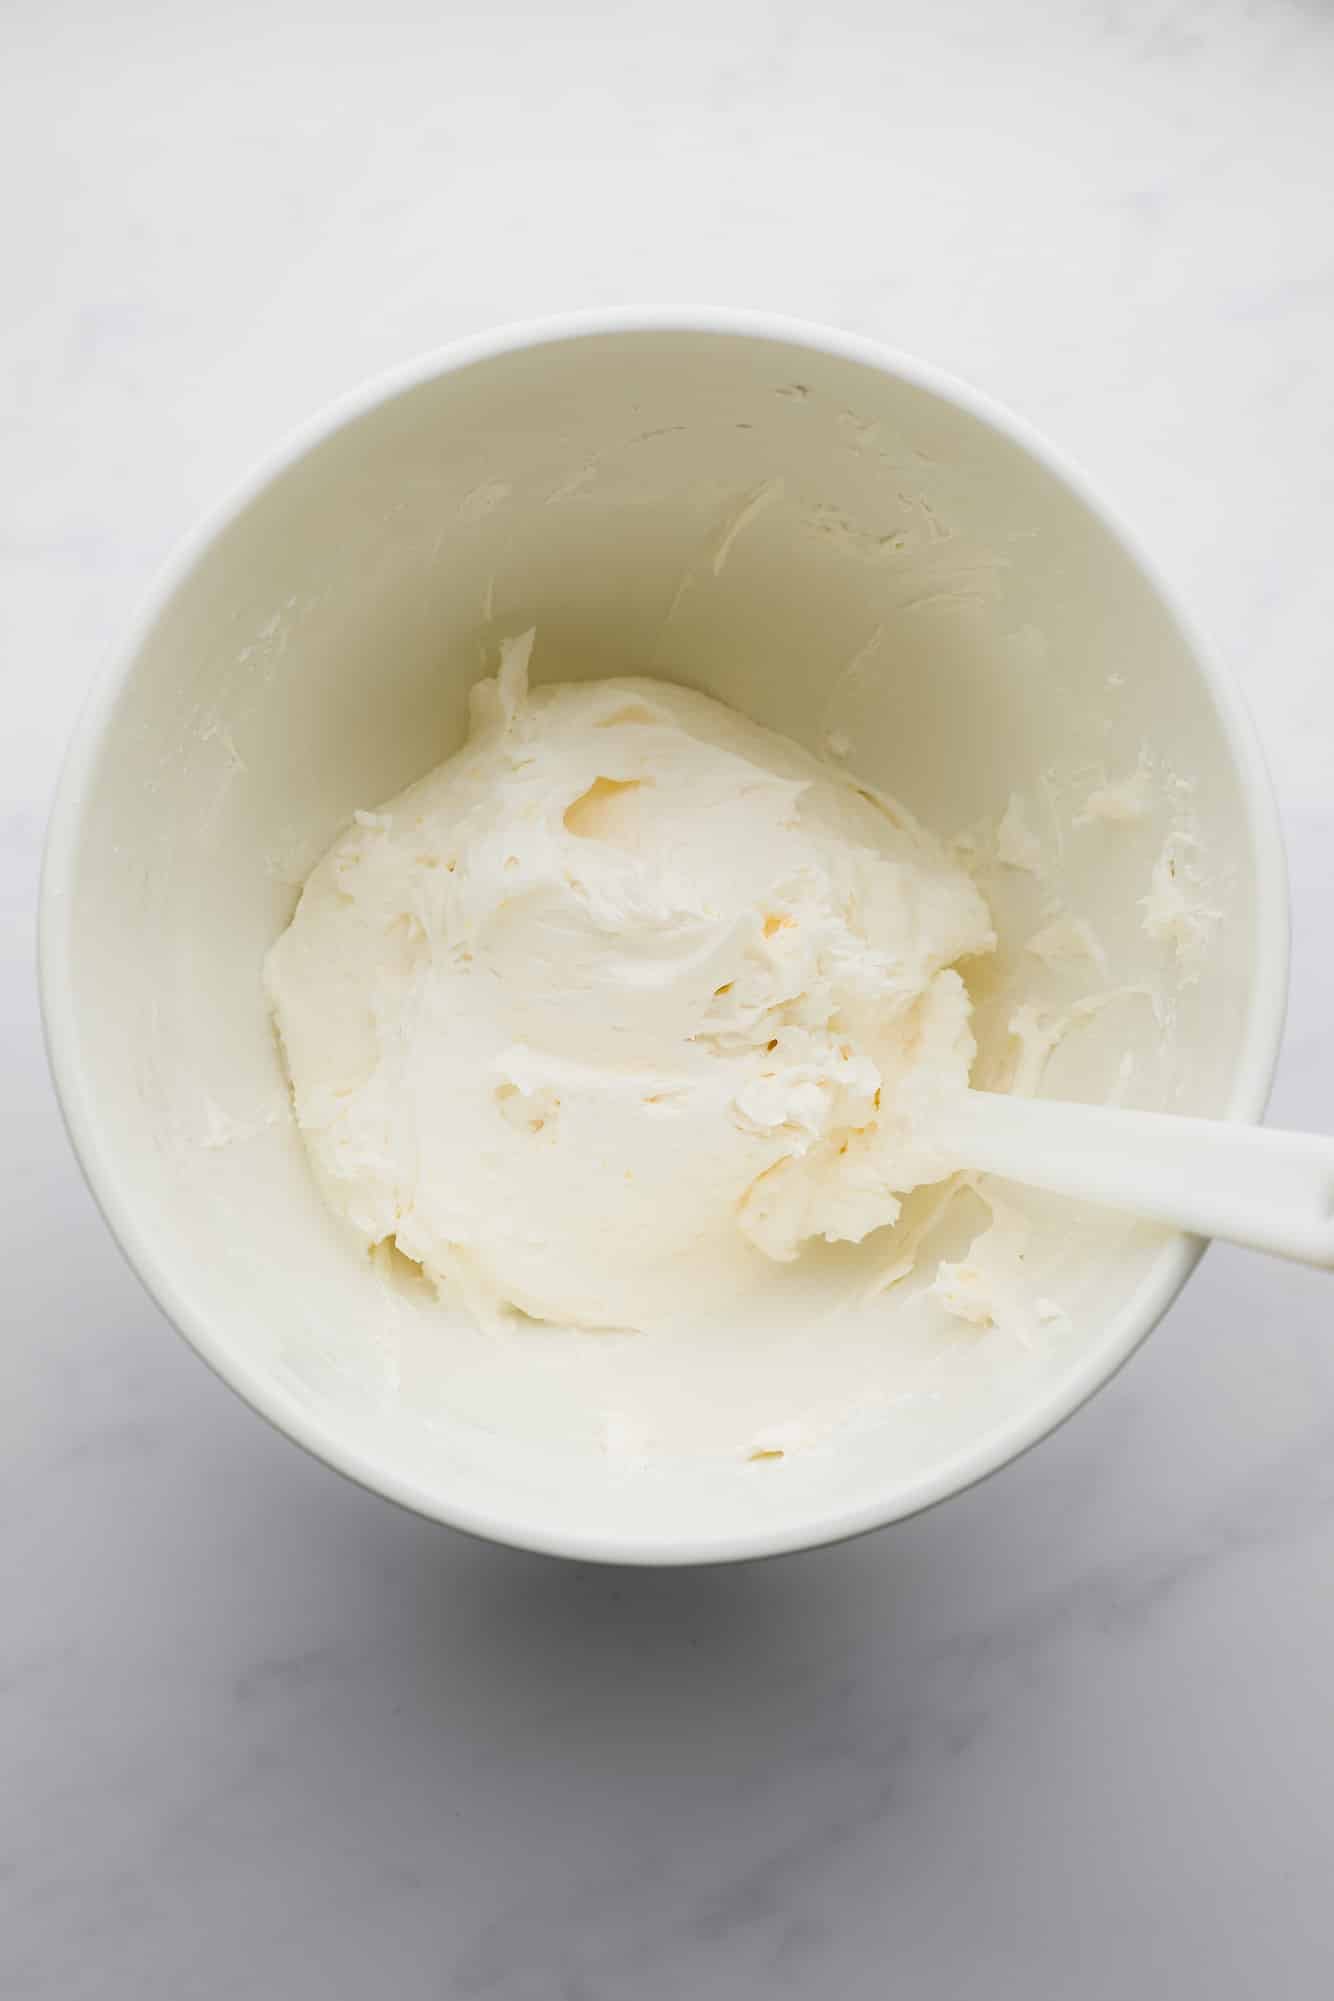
{"points": [[523, 1528]]}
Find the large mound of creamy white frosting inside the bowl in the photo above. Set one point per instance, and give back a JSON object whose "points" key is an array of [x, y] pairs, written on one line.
{"points": [[623, 1004]]}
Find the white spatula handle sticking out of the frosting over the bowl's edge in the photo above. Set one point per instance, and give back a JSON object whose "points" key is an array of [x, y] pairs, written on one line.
{"points": [[1273, 1192]]}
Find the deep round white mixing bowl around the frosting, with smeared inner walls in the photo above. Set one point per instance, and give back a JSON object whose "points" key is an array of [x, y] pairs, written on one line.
{"points": [[871, 547]]}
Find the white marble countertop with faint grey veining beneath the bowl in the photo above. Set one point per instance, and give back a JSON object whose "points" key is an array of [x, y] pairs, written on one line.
{"points": [[263, 1734]]}
